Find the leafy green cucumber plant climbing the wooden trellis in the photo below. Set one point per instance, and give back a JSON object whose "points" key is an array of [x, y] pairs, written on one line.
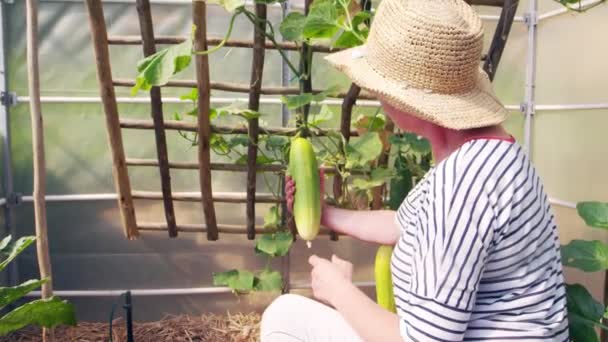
{"points": [[340, 24]]}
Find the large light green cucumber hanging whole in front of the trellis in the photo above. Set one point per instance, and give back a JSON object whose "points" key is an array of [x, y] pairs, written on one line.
{"points": [[304, 170]]}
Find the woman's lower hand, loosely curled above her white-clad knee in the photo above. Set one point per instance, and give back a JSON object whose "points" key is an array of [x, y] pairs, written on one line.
{"points": [[329, 278]]}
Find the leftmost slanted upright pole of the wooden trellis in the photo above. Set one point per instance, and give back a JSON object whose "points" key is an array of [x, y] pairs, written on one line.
{"points": [[104, 75]]}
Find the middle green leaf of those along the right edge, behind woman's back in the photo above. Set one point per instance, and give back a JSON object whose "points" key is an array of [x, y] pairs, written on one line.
{"points": [[589, 256]]}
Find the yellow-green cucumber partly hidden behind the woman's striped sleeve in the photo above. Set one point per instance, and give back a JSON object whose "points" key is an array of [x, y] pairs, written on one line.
{"points": [[384, 280]]}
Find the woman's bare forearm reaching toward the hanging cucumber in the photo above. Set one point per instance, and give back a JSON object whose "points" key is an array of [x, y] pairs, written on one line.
{"points": [[376, 226]]}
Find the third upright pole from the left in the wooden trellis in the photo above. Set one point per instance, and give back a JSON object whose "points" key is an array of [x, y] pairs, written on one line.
{"points": [[199, 19]]}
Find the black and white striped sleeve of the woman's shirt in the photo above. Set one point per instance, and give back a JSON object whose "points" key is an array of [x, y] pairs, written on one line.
{"points": [[455, 227]]}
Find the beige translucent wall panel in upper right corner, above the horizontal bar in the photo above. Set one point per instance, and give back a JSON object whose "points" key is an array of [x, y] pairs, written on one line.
{"points": [[572, 58]]}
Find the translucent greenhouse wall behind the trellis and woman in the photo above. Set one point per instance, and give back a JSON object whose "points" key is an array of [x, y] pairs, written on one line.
{"points": [[87, 244]]}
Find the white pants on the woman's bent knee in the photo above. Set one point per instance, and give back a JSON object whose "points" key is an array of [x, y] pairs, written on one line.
{"points": [[294, 318]]}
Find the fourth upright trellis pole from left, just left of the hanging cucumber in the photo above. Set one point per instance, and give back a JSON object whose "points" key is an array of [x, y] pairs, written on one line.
{"points": [[257, 73]]}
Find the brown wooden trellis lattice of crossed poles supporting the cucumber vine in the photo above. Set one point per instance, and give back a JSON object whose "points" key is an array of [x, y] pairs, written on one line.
{"points": [[203, 126]]}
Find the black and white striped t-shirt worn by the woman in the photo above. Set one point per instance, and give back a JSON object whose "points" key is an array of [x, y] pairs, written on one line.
{"points": [[478, 257]]}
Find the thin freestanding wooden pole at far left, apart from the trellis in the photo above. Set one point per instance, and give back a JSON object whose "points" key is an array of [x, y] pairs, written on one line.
{"points": [[42, 239]]}
